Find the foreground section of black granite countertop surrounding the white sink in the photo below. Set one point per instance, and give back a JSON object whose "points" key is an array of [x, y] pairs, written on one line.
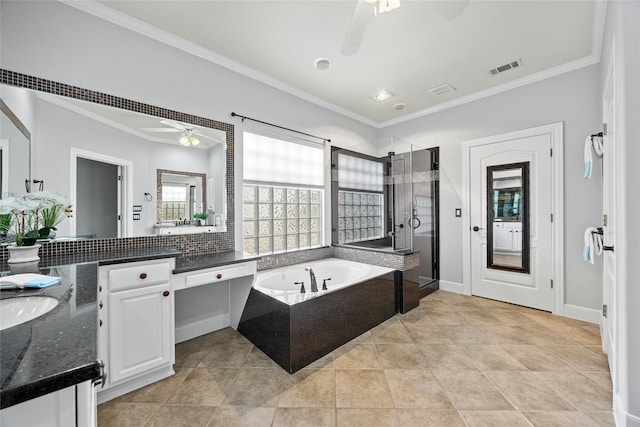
{"points": [[57, 349]]}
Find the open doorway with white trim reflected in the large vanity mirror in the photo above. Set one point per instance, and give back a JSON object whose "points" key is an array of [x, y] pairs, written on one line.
{"points": [[100, 192]]}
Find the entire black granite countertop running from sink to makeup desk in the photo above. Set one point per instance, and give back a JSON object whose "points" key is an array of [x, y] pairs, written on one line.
{"points": [[59, 348]]}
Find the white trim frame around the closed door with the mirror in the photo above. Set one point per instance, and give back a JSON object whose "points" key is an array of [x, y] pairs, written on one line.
{"points": [[555, 131]]}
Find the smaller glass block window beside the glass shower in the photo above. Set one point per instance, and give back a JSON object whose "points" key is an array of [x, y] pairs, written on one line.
{"points": [[360, 216]]}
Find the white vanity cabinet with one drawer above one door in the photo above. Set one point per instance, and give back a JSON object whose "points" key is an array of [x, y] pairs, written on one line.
{"points": [[136, 333]]}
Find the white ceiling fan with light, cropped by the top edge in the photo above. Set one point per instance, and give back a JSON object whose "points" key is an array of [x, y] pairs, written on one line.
{"points": [[366, 10]]}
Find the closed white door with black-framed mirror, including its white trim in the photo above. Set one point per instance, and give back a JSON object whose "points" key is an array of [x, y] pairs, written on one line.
{"points": [[513, 223]]}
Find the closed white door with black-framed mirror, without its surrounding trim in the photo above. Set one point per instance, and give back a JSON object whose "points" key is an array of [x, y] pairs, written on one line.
{"points": [[525, 277]]}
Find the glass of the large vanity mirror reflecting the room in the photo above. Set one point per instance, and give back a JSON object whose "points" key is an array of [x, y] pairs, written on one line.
{"points": [[137, 145]]}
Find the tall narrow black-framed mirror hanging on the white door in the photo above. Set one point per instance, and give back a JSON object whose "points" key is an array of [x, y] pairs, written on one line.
{"points": [[508, 217]]}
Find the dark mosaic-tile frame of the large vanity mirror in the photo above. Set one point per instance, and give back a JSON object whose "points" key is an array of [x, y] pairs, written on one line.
{"points": [[224, 240]]}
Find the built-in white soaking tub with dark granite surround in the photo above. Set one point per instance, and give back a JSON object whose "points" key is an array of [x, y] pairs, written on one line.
{"points": [[295, 329]]}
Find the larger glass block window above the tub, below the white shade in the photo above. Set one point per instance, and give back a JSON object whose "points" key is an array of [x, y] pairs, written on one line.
{"points": [[281, 219]]}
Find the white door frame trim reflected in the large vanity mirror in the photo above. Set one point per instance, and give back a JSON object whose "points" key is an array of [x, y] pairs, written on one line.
{"points": [[127, 186]]}
